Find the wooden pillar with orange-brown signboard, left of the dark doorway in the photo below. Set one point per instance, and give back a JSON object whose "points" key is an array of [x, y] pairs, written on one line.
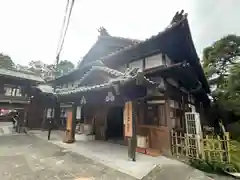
{"points": [[71, 125]]}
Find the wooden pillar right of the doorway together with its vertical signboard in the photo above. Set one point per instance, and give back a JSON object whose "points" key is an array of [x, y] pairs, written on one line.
{"points": [[130, 128]]}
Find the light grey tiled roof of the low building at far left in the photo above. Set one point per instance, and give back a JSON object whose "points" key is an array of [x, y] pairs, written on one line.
{"points": [[21, 75]]}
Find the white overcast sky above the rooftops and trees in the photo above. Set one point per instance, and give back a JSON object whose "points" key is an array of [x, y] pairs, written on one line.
{"points": [[30, 29]]}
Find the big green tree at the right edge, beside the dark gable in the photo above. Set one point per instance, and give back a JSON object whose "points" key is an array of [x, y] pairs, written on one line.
{"points": [[221, 63]]}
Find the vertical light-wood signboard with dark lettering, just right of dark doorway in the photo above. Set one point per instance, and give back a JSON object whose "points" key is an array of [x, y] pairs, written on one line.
{"points": [[128, 119]]}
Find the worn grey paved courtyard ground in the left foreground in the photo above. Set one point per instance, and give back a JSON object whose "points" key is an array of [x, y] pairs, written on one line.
{"points": [[25, 157]]}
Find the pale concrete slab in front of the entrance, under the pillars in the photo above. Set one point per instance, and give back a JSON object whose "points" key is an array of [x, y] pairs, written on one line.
{"points": [[109, 154]]}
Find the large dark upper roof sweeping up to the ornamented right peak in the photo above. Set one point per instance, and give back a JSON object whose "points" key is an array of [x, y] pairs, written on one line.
{"points": [[175, 41]]}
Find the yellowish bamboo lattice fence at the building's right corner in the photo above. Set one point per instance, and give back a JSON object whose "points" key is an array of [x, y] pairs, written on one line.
{"points": [[210, 148]]}
